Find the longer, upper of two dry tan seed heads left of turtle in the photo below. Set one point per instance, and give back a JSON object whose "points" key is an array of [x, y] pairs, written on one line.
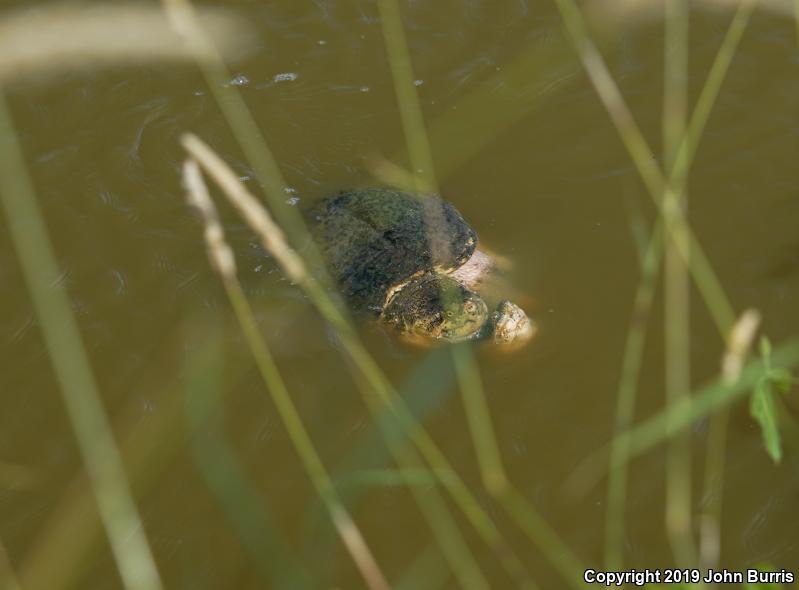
{"points": [[248, 206]]}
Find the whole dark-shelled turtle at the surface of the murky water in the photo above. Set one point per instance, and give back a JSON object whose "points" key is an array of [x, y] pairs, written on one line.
{"points": [[411, 260]]}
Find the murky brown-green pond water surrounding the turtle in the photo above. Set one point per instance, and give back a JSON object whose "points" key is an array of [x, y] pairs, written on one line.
{"points": [[545, 181]]}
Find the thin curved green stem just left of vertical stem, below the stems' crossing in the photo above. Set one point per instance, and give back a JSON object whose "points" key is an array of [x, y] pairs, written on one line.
{"points": [[625, 408]]}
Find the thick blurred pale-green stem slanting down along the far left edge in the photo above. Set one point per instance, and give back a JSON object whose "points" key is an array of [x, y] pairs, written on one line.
{"points": [[71, 365]]}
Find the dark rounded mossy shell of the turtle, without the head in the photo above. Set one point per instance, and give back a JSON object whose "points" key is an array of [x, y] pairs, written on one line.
{"points": [[375, 239]]}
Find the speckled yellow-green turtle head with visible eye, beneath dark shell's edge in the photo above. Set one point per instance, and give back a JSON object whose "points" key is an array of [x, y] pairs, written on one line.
{"points": [[438, 307]]}
